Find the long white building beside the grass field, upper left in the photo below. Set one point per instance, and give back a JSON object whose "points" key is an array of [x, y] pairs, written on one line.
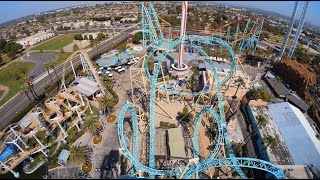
{"points": [[36, 38]]}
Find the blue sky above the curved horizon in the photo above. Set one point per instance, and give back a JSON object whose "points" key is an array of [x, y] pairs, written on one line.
{"points": [[14, 9]]}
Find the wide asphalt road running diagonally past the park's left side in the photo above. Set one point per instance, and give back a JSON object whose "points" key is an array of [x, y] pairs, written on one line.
{"points": [[17, 104]]}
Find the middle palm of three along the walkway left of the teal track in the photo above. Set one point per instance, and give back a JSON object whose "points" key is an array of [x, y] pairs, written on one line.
{"points": [[92, 124]]}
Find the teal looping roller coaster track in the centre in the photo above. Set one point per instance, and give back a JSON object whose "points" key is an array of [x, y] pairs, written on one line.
{"points": [[222, 136]]}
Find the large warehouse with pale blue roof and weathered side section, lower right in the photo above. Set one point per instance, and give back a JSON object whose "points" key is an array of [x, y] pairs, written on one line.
{"points": [[296, 142]]}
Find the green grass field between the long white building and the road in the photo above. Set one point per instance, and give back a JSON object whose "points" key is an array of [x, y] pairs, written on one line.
{"points": [[55, 43]]}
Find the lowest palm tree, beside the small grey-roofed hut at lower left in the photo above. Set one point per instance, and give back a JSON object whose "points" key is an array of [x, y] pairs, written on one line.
{"points": [[80, 154]]}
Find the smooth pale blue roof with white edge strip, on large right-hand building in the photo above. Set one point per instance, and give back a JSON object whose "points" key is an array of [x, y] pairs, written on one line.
{"points": [[296, 131]]}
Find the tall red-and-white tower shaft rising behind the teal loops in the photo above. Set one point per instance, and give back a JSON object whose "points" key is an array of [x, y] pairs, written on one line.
{"points": [[182, 31]]}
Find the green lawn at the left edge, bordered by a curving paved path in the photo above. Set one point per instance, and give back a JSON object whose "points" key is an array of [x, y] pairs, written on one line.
{"points": [[8, 78]]}
